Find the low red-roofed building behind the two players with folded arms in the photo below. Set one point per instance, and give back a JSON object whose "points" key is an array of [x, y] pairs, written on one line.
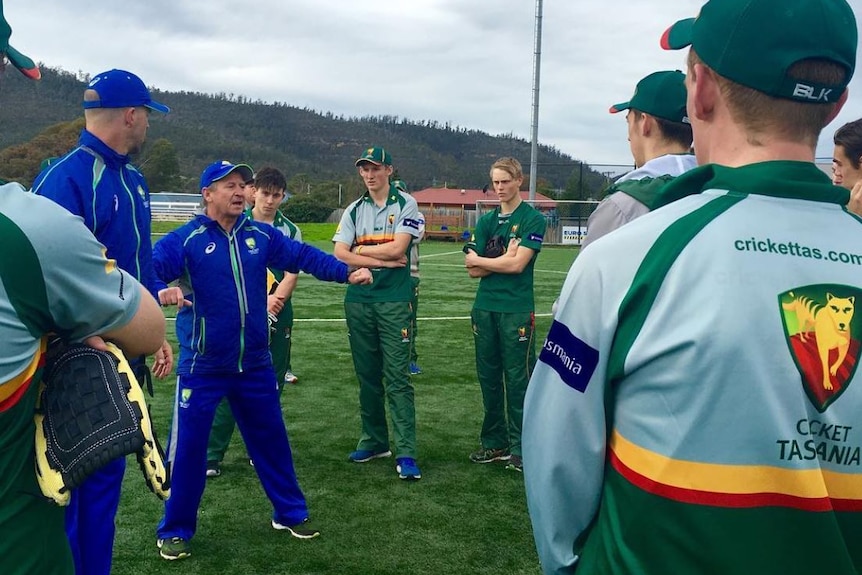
{"points": [[449, 212]]}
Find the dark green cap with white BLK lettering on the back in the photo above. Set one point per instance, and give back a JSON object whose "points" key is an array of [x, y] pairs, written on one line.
{"points": [[755, 42]]}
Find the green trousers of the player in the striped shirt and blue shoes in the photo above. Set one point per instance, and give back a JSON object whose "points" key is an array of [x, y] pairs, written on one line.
{"points": [[380, 340]]}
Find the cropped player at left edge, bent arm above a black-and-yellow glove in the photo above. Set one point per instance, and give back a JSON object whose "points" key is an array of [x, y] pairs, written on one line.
{"points": [[54, 278]]}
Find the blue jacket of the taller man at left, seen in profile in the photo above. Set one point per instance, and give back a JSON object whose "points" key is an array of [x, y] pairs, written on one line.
{"points": [[107, 191]]}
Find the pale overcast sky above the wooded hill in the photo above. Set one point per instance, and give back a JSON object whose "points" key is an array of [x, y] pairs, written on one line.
{"points": [[466, 62]]}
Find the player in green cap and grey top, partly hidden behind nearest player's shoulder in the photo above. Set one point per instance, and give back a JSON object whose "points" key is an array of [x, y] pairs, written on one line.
{"points": [[660, 139]]}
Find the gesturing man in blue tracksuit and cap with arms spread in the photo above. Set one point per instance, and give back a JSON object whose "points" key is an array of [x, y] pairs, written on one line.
{"points": [[222, 257]]}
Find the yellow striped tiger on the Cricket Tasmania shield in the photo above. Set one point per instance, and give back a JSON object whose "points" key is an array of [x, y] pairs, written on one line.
{"points": [[830, 324]]}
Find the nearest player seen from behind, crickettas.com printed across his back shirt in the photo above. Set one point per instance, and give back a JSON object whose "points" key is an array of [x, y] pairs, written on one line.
{"points": [[695, 408]]}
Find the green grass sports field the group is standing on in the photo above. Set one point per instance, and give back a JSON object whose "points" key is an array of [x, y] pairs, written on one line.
{"points": [[461, 518]]}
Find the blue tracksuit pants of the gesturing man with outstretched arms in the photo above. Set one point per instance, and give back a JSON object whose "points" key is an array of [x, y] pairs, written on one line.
{"points": [[254, 401]]}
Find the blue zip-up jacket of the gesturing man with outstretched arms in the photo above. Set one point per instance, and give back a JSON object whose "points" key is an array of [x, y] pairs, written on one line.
{"points": [[227, 331]]}
